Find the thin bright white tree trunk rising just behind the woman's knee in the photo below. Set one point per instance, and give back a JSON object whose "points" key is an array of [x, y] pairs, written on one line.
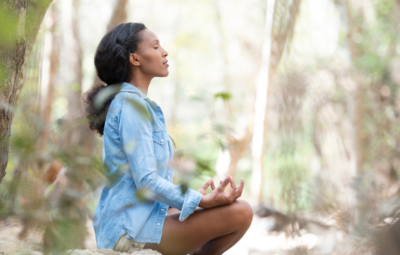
{"points": [[280, 20]]}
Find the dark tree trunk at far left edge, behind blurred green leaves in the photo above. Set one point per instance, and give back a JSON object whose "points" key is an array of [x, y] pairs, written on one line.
{"points": [[19, 29]]}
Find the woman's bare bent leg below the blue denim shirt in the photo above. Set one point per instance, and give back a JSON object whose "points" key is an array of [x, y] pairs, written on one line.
{"points": [[207, 231]]}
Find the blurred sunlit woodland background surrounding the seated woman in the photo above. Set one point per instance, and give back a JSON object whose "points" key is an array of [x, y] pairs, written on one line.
{"points": [[299, 97]]}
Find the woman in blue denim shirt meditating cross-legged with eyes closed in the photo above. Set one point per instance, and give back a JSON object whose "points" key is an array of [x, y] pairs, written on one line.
{"points": [[136, 152]]}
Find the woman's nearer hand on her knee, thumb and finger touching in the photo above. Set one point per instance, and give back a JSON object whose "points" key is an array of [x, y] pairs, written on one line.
{"points": [[218, 196]]}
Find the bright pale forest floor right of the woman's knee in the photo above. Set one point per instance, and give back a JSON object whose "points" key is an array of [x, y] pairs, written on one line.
{"points": [[316, 240]]}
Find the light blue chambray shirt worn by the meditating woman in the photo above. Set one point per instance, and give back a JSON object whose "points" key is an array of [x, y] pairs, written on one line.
{"points": [[136, 152]]}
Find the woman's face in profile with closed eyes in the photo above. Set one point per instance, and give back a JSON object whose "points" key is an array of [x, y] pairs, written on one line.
{"points": [[151, 58]]}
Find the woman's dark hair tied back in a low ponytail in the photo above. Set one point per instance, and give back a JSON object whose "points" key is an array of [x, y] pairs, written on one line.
{"points": [[112, 66]]}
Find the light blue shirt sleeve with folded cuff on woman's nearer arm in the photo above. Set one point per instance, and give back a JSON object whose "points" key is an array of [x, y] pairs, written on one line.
{"points": [[136, 132]]}
